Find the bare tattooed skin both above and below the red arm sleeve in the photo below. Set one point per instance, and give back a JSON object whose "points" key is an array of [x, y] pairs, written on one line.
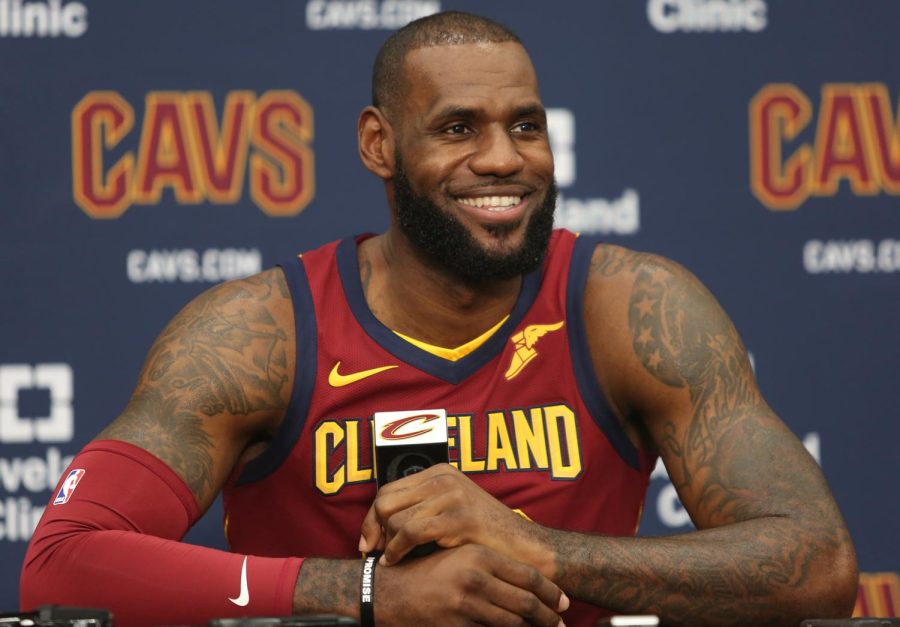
{"points": [[212, 392]]}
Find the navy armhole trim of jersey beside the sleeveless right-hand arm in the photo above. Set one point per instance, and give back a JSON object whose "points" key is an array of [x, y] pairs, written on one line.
{"points": [[593, 396]]}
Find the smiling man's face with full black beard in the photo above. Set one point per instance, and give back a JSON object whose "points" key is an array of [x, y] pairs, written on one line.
{"points": [[473, 186]]}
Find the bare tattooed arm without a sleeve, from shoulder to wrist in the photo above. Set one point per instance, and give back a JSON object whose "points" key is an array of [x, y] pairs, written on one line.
{"points": [[772, 547]]}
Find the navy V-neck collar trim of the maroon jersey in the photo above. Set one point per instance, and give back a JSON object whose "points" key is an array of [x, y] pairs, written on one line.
{"points": [[450, 371]]}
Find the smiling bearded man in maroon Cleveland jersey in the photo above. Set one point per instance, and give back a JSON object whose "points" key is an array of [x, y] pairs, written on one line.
{"points": [[566, 367]]}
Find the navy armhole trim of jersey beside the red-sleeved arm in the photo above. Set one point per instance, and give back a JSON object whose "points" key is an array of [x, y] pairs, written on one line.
{"points": [[304, 378]]}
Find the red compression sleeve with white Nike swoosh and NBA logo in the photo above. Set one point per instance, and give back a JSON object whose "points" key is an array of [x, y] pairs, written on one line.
{"points": [[115, 544]]}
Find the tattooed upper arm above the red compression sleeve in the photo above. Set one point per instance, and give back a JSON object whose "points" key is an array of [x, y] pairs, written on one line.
{"points": [[223, 356]]}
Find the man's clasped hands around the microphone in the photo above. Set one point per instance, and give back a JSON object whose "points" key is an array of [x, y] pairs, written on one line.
{"points": [[494, 569]]}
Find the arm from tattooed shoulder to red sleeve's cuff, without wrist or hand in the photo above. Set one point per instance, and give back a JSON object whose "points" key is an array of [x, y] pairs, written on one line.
{"points": [[213, 388]]}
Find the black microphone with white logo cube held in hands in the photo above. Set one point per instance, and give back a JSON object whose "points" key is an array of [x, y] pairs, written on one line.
{"points": [[408, 442]]}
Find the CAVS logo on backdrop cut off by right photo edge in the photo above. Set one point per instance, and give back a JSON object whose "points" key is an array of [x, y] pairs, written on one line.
{"points": [[856, 138]]}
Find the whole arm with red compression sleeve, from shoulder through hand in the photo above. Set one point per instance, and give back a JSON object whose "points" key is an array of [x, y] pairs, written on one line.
{"points": [[213, 390]]}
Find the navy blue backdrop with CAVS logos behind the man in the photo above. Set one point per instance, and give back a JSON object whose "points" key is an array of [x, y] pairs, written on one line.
{"points": [[151, 149]]}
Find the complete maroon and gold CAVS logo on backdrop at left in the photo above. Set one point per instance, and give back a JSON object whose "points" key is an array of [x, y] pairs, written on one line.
{"points": [[181, 146]]}
